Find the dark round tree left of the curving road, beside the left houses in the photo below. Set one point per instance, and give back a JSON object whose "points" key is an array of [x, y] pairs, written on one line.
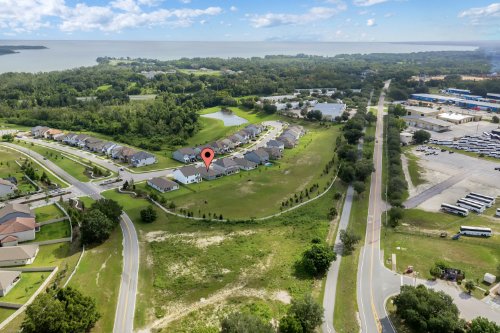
{"points": [[96, 227]]}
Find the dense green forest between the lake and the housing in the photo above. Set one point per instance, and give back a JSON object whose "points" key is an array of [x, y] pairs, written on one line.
{"points": [[97, 98]]}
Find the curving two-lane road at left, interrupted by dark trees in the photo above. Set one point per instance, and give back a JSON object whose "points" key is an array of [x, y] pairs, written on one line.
{"points": [[124, 318]]}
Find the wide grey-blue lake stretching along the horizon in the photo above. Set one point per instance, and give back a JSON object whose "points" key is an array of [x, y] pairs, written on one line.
{"points": [[70, 54]]}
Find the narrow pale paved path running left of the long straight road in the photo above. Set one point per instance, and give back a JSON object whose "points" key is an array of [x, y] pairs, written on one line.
{"points": [[333, 271]]}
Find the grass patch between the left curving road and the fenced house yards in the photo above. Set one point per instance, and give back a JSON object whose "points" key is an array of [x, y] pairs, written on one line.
{"points": [[99, 276]]}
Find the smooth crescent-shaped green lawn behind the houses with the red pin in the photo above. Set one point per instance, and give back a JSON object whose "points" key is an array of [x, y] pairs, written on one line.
{"points": [[241, 196]]}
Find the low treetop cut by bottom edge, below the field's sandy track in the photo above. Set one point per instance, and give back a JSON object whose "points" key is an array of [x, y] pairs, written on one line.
{"points": [[244, 323]]}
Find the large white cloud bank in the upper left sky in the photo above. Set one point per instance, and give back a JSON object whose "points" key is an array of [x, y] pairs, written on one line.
{"points": [[31, 15]]}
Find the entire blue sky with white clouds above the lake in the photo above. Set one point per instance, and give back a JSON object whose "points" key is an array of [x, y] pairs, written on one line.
{"points": [[251, 20]]}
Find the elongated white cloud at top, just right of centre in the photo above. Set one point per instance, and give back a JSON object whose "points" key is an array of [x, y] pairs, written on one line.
{"points": [[314, 14]]}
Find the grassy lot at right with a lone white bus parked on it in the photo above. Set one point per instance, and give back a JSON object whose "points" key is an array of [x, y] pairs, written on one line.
{"points": [[420, 245]]}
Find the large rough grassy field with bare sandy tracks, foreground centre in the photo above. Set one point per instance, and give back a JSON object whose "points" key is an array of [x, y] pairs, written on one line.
{"points": [[230, 265]]}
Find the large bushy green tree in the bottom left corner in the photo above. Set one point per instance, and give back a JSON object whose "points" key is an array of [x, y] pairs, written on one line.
{"points": [[65, 311]]}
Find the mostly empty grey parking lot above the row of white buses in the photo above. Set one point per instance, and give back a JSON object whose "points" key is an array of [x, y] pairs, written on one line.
{"points": [[471, 175]]}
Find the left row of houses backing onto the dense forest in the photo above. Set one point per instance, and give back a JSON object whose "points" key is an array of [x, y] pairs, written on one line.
{"points": [[116, 151]]}
